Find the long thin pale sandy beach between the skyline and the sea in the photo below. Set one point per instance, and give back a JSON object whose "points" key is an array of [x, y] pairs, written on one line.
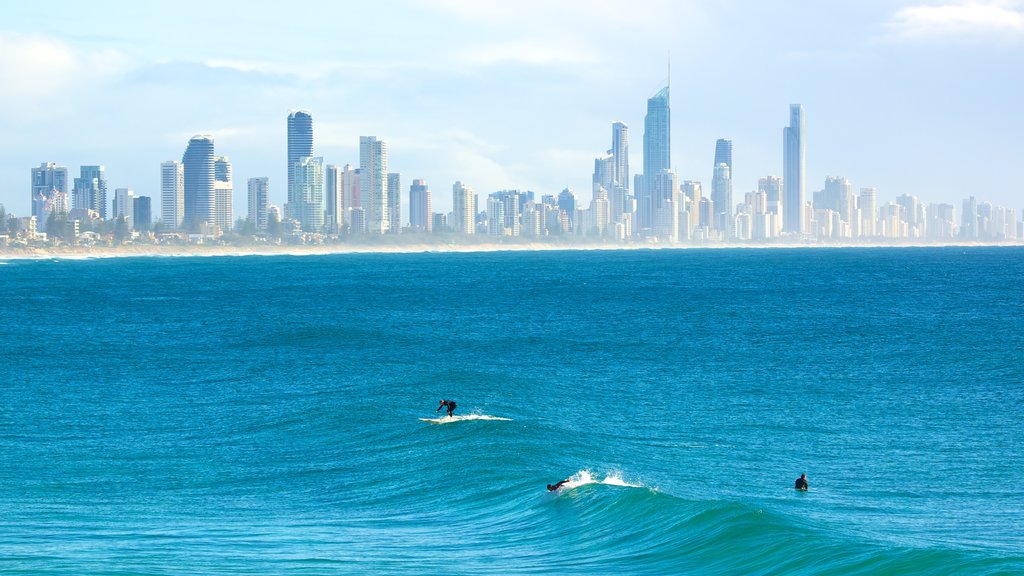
{"points": [[321, 251]]}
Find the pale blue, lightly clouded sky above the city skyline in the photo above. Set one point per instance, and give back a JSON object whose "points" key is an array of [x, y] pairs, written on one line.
{"points": [[914, 97]]}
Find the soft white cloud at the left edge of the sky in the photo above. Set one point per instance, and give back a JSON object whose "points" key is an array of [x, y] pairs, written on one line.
{"points": [[40, 75]]}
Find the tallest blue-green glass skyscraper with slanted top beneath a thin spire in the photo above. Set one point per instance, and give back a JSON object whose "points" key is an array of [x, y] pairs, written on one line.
{"points": [[657, 153]]}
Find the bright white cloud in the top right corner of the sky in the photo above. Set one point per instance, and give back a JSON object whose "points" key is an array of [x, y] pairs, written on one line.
{"points": [[960, 20]]}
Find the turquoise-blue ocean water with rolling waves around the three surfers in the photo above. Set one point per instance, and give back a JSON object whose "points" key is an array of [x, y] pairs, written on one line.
{"points": [[258, 416]]}
